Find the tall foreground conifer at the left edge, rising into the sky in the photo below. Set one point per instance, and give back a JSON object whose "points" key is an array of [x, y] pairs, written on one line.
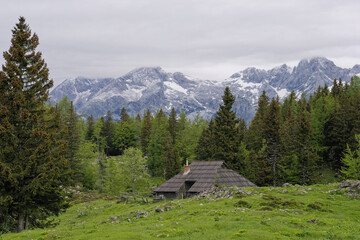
{"points": [[31, 161]]}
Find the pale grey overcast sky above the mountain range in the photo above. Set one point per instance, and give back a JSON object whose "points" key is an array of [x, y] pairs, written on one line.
{"points": [[206, 39]]}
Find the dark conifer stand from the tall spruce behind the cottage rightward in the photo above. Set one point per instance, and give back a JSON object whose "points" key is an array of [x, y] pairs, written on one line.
{"points": [[299, 141]]}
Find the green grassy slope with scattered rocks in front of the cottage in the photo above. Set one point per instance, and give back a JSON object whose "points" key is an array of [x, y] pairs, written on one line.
{"points": [[281, 213]]}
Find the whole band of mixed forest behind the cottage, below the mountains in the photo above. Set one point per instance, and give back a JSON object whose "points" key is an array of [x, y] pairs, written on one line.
{"points": [[299, 141]]}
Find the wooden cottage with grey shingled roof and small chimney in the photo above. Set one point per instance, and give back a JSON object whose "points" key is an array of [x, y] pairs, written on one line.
{"points": [[200, 176]]}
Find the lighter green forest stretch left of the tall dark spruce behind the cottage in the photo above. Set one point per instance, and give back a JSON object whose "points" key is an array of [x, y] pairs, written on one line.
{"points": [[166, 142]]}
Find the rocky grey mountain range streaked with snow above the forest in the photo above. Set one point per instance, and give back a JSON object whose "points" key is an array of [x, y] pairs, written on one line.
{"points": [[153, 88]]}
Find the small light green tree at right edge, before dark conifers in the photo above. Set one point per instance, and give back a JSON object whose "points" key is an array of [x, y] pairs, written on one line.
{"points": [[351, 161]]}
